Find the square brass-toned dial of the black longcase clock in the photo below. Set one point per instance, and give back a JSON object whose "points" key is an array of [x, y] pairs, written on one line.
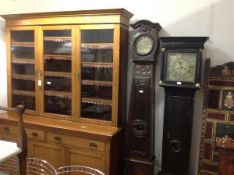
{"points": [[181, 67]]}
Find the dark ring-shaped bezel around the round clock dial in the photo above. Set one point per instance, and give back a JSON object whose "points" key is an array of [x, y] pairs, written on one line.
{"points": [[139, 36]]}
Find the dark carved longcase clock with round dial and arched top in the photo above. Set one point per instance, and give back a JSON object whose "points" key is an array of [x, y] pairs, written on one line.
{"points": [[139, 137]]}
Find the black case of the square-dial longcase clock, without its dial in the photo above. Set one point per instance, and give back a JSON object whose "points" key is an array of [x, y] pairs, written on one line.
{"points": [[179, 107]]}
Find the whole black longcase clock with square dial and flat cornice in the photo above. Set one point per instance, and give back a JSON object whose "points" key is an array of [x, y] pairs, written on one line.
{"points": [[180, 77]]}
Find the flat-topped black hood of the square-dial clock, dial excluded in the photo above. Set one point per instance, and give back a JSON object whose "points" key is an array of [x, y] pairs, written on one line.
{"points": [[182, 45]]}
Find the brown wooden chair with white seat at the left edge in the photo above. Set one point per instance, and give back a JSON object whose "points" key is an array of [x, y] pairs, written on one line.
{"points": [[9, 149]]}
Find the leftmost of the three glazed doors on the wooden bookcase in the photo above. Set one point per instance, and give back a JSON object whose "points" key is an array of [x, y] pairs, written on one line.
{"points": [[23, 67]]}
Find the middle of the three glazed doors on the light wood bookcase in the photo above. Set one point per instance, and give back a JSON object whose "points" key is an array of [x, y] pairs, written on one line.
{"points": [[57, 72]]}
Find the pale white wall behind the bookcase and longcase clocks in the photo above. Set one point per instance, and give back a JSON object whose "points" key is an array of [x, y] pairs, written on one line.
{"points": [[213, 18]]}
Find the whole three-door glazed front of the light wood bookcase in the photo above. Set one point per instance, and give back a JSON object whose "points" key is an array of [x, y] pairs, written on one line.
{"points": [[66, 72]]}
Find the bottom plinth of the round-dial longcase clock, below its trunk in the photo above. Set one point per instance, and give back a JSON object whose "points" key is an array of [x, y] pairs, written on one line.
{"points": [[139, 167]]}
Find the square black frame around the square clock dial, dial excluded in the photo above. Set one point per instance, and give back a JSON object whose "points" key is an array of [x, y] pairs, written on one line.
{"points": [[179, 83]]}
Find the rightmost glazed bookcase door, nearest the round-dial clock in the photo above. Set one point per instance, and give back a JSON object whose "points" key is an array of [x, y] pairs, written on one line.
{"points": [[98, 74]]}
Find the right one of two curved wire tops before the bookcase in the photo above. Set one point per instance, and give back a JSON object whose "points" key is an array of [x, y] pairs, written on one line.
{"points": [[78, 170]]}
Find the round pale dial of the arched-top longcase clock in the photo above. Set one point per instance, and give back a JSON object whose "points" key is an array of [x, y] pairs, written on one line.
{"points": [[144, 45]]}
